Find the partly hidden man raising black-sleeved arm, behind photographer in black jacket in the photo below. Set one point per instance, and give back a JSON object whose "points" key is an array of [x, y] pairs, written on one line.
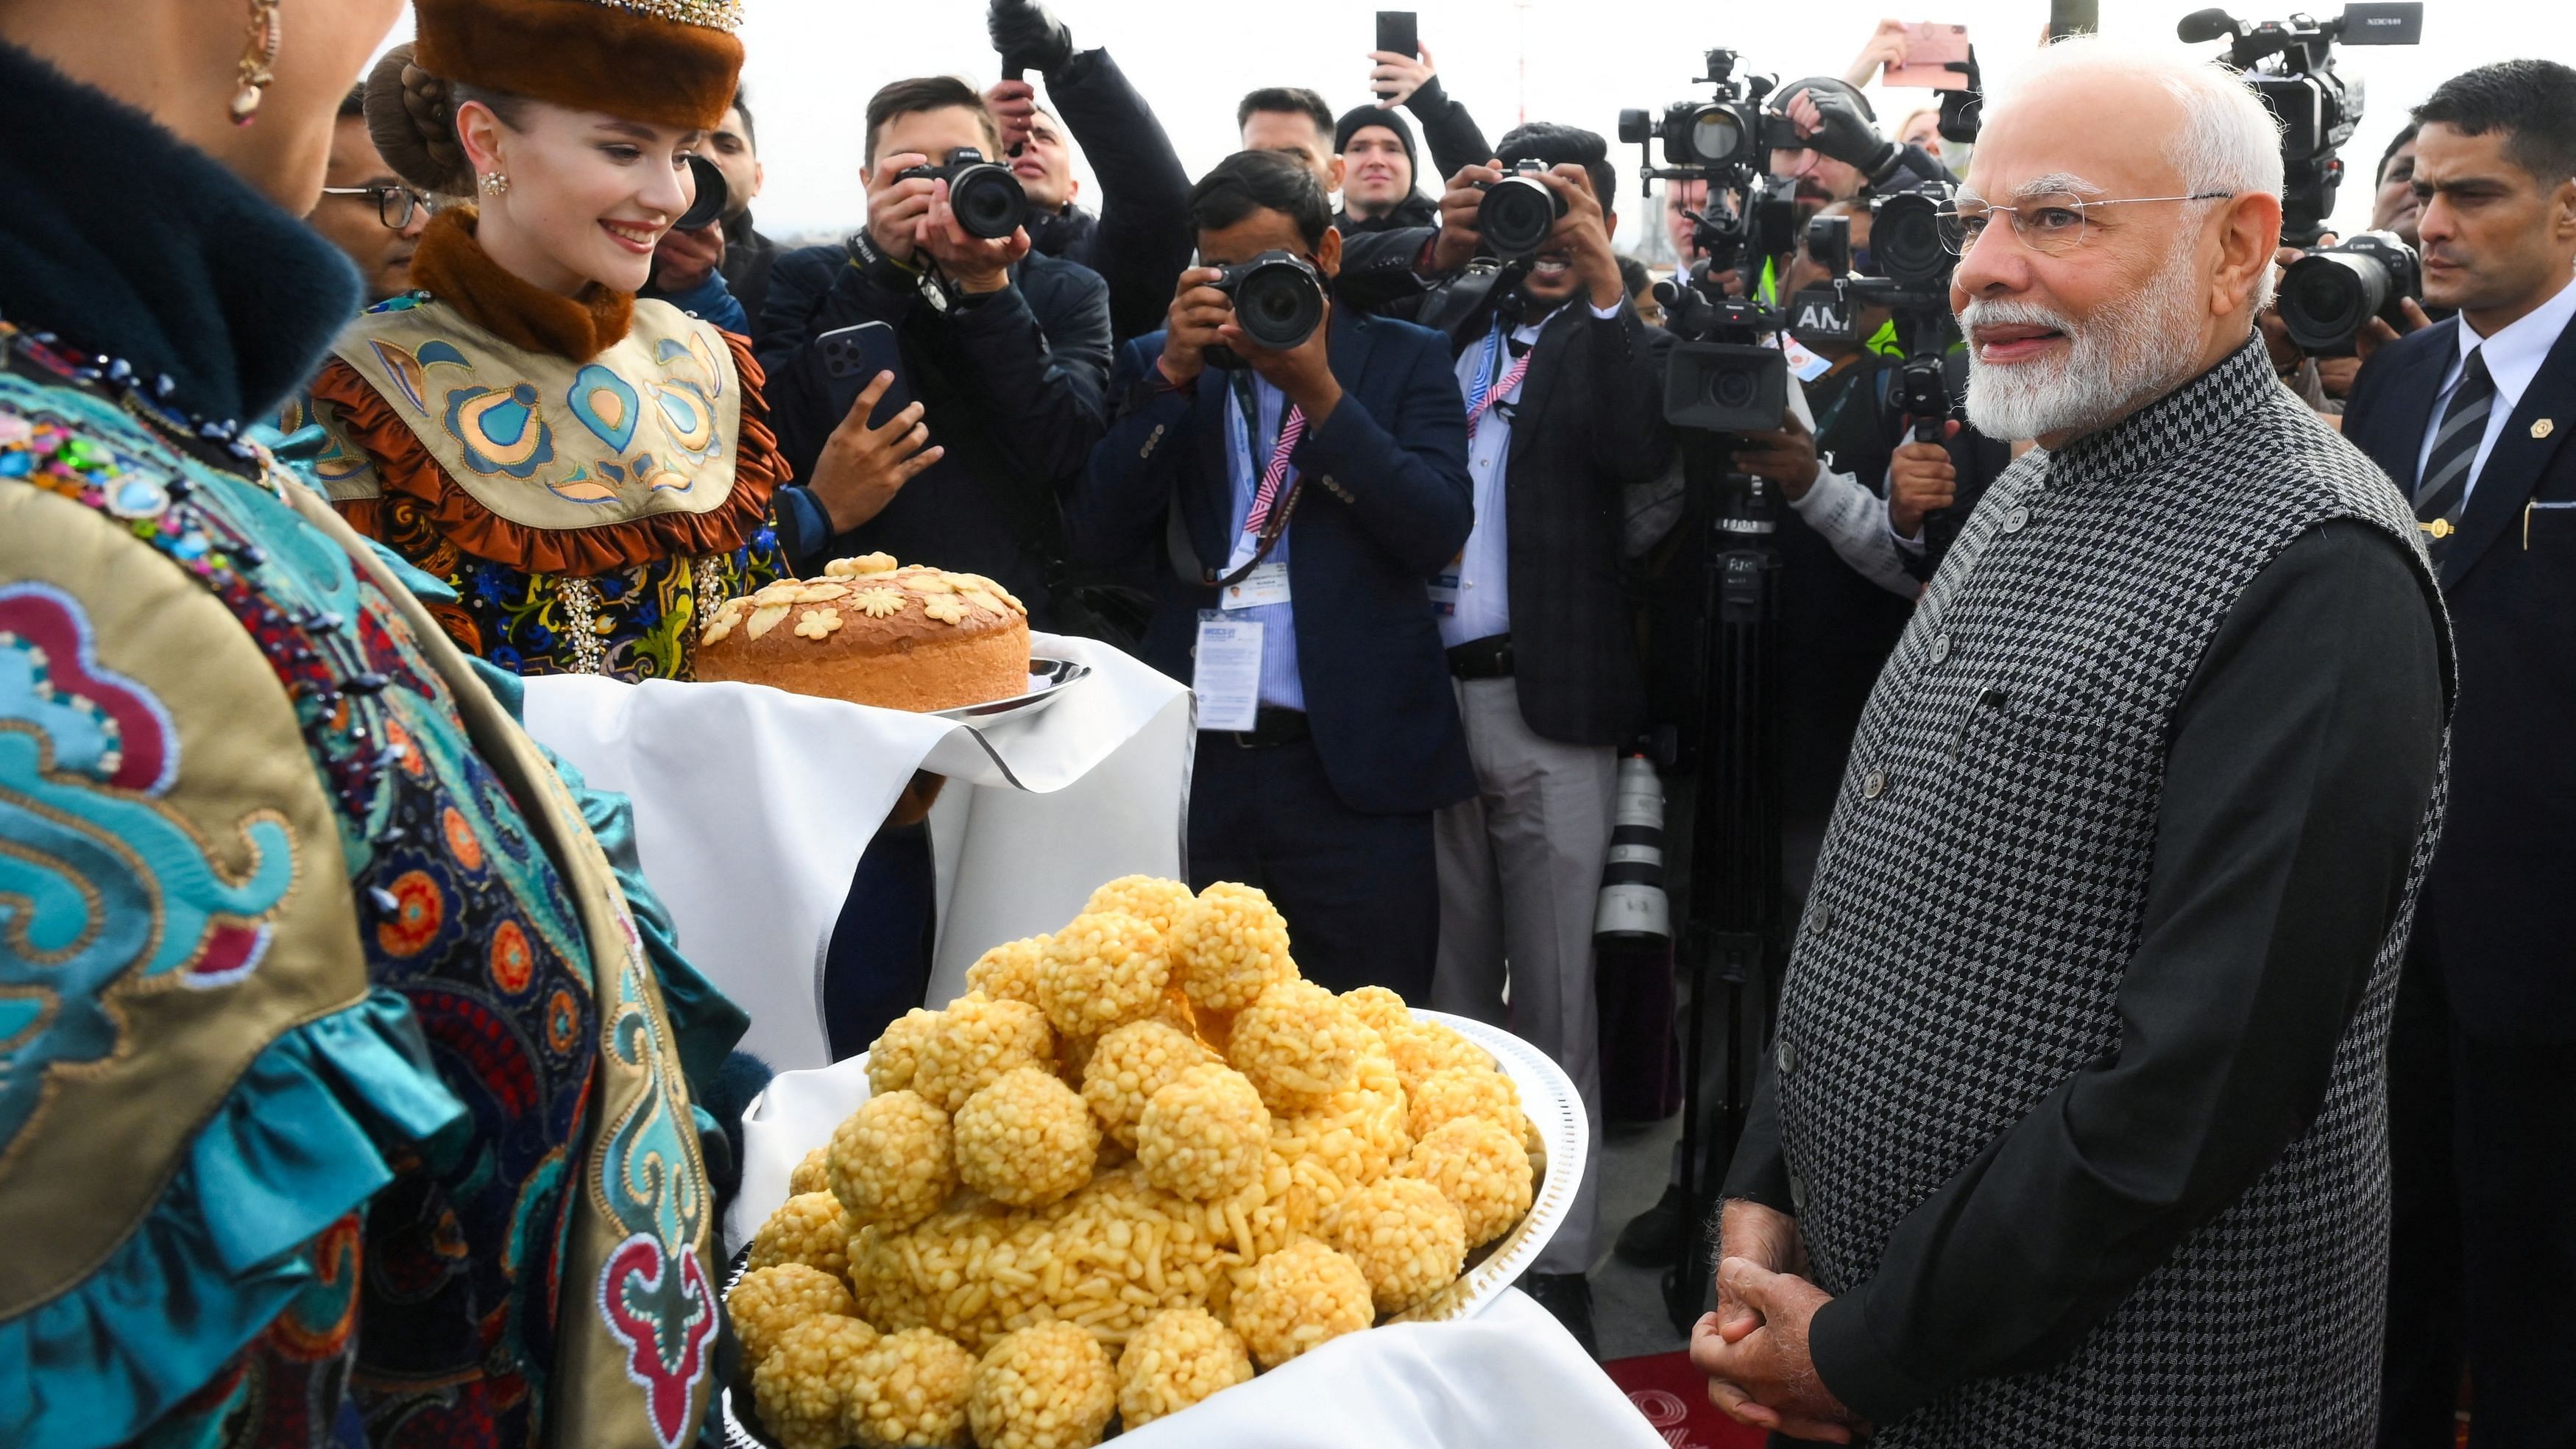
{"points": [[1142, 233]]}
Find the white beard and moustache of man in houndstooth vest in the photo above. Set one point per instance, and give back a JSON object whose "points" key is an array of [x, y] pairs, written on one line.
{"points": [[2116, 362]]}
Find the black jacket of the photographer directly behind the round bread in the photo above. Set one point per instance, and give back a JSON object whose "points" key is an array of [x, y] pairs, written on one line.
{"points": [[1009, 385]]}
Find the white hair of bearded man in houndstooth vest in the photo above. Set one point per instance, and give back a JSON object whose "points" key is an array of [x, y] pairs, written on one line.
{"points": [[2230, 140]]}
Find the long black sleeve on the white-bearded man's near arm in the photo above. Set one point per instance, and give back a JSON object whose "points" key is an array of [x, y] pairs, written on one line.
{"points": [[2297, 779]]}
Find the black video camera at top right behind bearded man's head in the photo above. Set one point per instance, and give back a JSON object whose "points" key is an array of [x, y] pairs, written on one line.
{"points": [[2291, 66]]}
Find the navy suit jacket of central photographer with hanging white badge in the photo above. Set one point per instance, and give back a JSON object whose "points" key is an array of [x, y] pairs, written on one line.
{"points": [[1385, 506]]}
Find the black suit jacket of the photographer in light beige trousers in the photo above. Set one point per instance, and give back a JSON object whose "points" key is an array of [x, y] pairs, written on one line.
{"points": [[1588, 423]]}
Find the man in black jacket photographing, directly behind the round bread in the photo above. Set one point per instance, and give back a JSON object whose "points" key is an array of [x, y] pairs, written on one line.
{"points": [[1003, 351]]}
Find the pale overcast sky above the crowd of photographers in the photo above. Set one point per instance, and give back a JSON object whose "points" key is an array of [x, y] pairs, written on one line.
{"points": [[815, 63]]}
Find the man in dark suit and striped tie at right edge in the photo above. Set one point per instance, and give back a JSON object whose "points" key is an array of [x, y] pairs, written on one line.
{"points": [[2472, 421]]}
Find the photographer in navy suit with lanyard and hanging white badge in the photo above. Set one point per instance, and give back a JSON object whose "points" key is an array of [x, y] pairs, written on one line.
{"points": [[1302, 467]]}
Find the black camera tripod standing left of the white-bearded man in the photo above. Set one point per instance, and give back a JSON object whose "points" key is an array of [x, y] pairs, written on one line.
{"points": [[1735, 835]]}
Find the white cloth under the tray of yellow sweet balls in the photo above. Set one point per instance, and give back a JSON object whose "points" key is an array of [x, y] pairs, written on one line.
{"points": [[1511, 1376]]}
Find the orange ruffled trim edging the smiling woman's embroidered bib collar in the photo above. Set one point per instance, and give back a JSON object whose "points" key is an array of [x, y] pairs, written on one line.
{"points": [[408, 470]]}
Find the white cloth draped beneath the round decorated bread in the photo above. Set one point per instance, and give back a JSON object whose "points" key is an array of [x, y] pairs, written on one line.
{"points": [[753, 809]]}
